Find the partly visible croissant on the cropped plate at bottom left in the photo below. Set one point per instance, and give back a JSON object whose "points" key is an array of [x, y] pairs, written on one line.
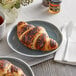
{"points": [[8, 69]]}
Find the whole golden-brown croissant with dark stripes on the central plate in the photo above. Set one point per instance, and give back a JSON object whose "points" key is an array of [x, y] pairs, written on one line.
{"points": [[35, 37]]}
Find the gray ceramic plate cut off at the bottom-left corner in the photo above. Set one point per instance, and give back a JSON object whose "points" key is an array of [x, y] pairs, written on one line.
{"points": [[21, 64]]}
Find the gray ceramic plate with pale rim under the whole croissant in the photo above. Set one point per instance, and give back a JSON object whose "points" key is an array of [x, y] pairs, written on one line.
{"points": [[18, 47]]}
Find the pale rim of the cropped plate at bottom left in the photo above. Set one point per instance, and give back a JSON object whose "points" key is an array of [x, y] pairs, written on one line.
{"points": [[10, 57]]}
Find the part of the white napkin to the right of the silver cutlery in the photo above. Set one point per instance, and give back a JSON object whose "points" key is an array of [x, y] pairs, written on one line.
{"points": [[70, 55]]}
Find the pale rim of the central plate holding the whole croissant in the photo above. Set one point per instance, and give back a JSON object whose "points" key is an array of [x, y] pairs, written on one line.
{"points": [[33, 55]]}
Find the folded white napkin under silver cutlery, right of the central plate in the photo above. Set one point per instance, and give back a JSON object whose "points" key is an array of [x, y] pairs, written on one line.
{"points": [[70, 56]]}
